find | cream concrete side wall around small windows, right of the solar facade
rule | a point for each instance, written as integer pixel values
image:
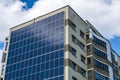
(80, 25)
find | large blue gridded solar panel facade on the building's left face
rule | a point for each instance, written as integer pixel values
(36, 52)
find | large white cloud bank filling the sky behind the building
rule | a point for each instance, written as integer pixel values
(103, 14)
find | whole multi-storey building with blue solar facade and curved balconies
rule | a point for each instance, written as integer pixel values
(59, 45)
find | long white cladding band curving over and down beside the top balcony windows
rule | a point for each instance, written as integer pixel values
(107, 44)
